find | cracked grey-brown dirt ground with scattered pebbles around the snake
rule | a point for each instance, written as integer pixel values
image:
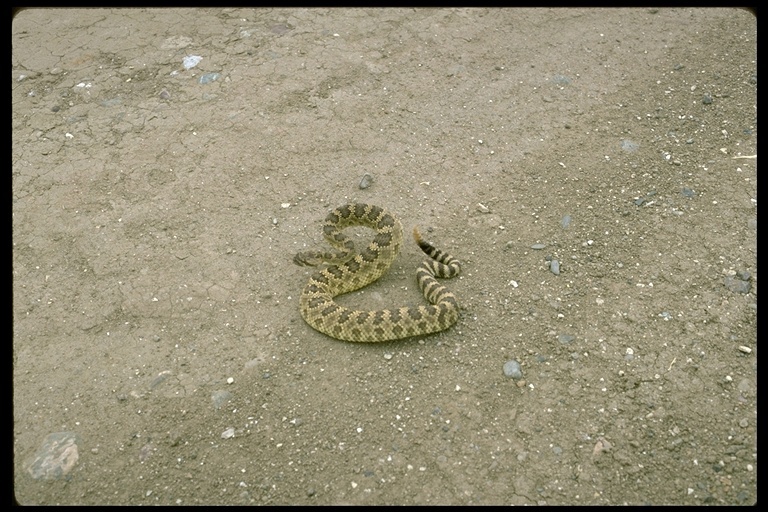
(157, 208)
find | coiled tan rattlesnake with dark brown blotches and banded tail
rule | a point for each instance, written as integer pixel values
(349, 270)
